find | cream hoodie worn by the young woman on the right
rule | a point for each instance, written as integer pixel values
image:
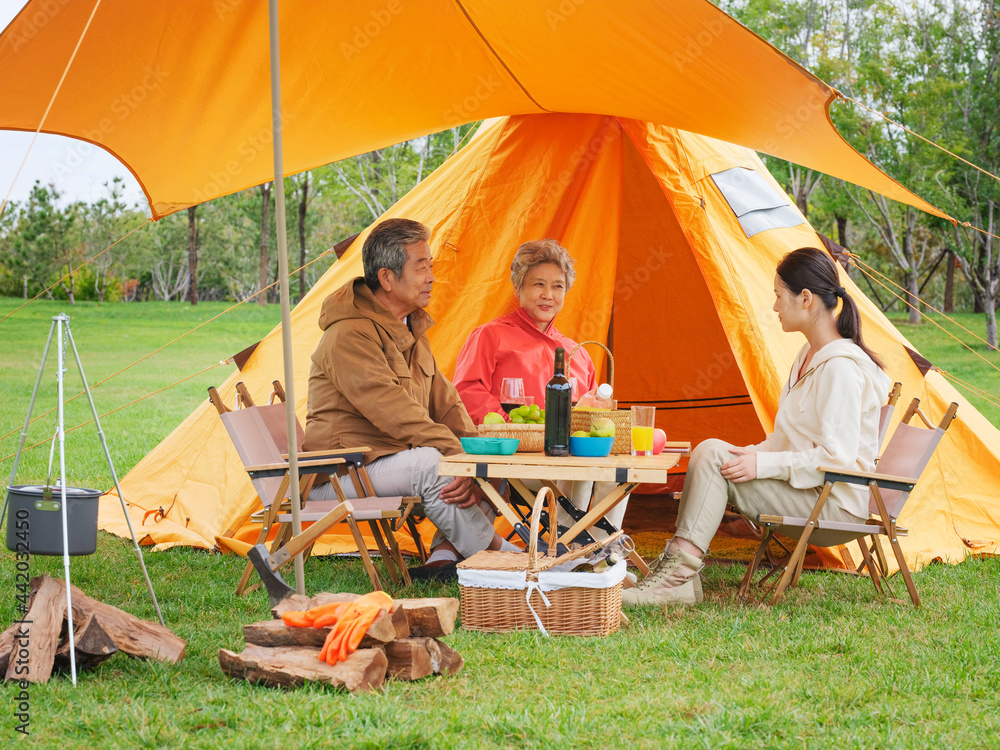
(828, 417)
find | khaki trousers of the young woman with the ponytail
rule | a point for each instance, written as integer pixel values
(707, 493)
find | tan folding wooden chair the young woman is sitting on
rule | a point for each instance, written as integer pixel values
(909, 450)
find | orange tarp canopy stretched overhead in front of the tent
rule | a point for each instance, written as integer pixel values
(179, 91)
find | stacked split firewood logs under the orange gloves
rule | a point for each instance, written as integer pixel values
(401, 643)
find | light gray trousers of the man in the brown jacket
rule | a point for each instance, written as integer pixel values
(415, 472)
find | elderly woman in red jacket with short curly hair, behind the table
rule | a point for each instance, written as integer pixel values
(522, 344)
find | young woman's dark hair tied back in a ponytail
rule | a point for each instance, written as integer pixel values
(812, 269)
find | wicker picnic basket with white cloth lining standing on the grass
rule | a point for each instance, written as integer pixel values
(504, 591)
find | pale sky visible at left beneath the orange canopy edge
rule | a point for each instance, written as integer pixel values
(78, 170)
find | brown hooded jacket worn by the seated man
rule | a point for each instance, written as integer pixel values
(374, 381)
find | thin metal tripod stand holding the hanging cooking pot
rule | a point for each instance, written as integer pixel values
(60, 328)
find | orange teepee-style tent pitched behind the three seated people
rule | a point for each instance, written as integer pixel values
(676, 238)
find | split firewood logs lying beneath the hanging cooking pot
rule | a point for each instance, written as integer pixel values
(37, 644)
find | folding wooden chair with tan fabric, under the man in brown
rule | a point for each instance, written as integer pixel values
(260, 437)
